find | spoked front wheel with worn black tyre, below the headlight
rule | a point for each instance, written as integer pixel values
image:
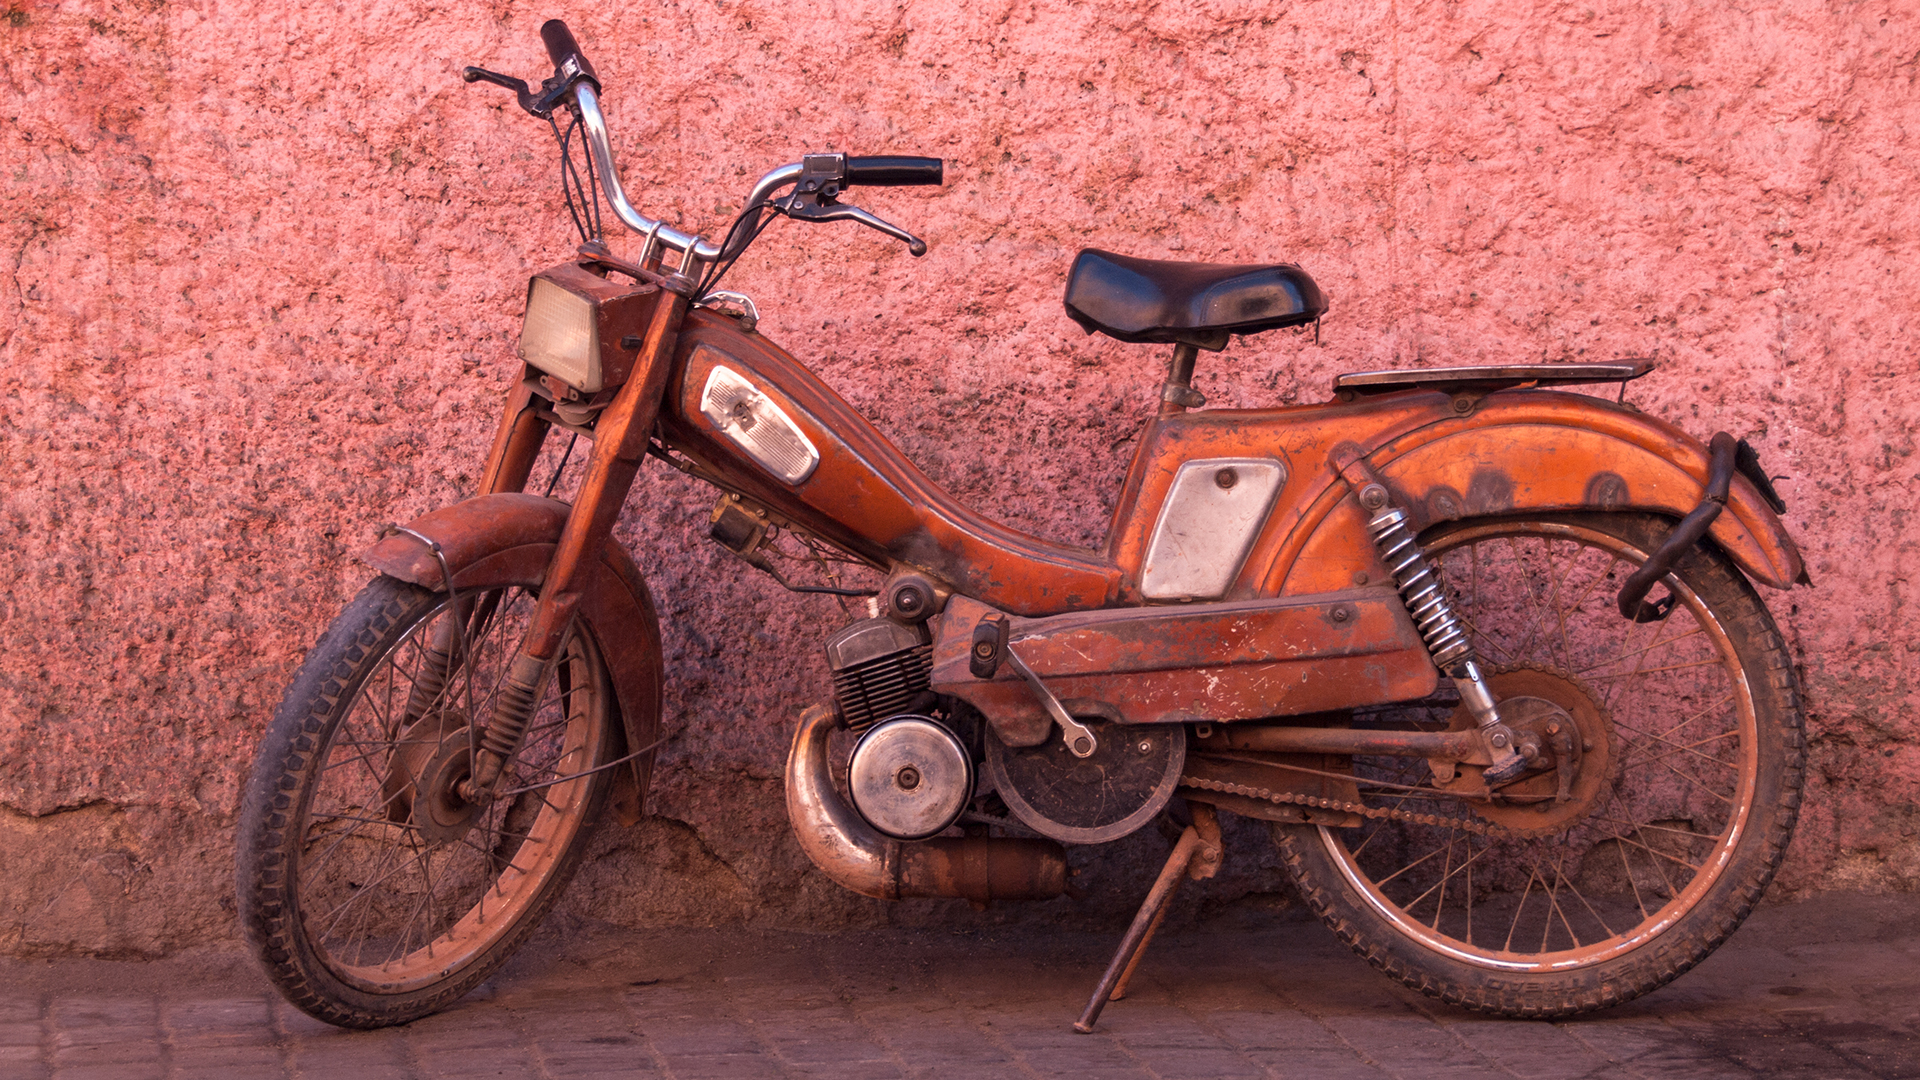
(370, 889)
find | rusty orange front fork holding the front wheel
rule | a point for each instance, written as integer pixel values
(621, 437)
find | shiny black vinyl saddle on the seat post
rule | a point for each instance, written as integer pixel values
(1199, 305)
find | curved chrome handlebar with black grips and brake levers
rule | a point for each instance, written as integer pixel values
(575, 78)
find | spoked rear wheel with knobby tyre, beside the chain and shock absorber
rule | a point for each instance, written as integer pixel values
(1548, 900)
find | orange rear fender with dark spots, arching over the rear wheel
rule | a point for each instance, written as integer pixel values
(1535, 451)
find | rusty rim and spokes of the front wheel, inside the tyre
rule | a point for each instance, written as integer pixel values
(396, 883)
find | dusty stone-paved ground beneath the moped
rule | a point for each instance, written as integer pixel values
(1823, 991)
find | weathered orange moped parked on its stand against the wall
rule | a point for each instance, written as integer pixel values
(1483, 652)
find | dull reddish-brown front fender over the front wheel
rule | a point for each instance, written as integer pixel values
(510, 539)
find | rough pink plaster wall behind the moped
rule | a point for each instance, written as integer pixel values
(262, 266)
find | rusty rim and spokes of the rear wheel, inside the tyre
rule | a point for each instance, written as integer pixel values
(1654, 843)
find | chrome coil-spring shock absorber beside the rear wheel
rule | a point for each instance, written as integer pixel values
(1433, 616)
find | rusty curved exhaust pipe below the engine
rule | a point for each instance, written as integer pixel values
(859, 858)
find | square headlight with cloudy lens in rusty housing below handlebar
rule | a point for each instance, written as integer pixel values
(577, 326)
